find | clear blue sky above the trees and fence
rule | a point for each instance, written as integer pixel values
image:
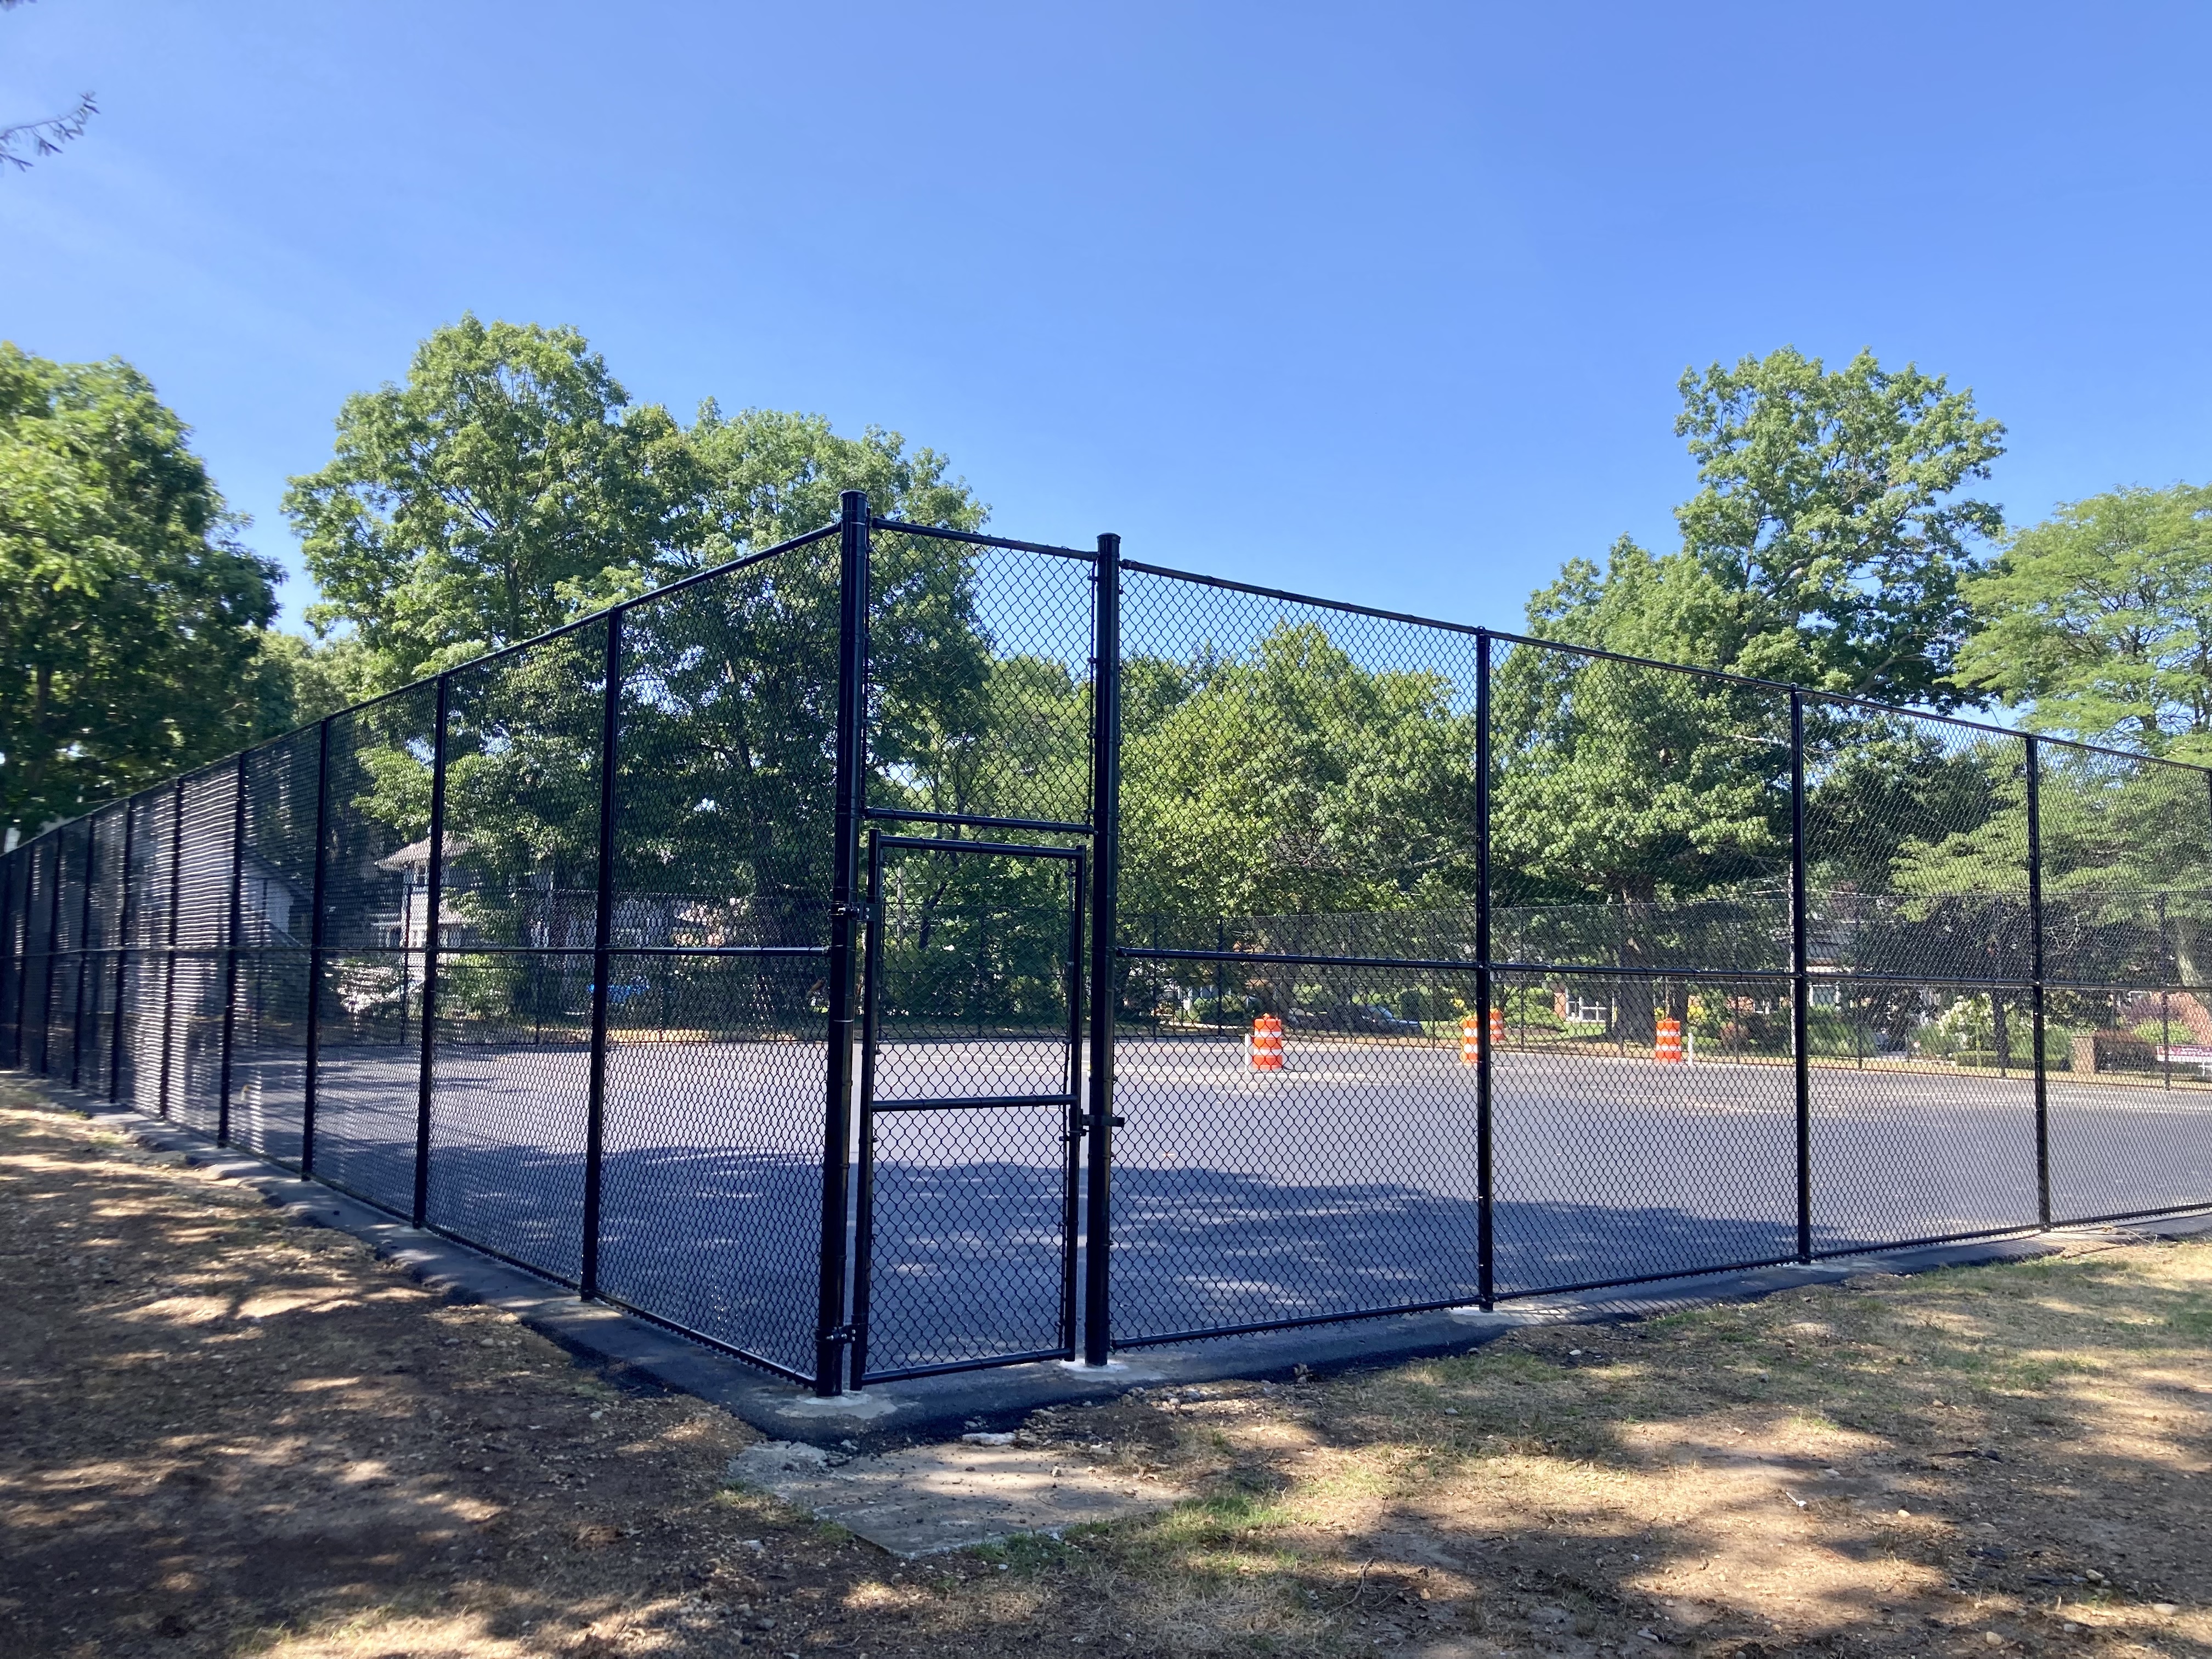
(1381, 302)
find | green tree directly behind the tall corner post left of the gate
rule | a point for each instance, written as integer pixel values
(733, 727)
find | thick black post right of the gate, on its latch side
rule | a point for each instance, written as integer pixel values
(1105, 930)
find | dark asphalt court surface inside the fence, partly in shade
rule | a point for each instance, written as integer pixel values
(1342, 1185)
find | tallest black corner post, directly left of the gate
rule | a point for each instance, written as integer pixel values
(831, 1331)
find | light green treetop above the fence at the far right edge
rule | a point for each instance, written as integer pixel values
(2098, 623)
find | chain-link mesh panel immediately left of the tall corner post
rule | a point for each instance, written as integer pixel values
(718, 1061)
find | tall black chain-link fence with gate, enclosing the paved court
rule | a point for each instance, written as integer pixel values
(813, 959)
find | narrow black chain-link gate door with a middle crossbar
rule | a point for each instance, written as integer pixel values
(970, 1107)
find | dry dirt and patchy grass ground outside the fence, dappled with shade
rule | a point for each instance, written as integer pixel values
(229, 1434)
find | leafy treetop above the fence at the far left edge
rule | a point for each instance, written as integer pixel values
(132, 618)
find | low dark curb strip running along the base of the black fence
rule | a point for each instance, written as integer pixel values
(636, 1353)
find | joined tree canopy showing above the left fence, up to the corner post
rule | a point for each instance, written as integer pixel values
(512, 486)
